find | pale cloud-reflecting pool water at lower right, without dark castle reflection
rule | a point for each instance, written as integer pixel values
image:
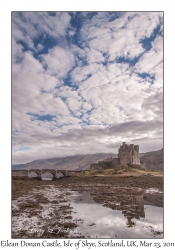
(97, 221)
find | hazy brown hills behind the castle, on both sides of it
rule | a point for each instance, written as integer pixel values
(152, 160)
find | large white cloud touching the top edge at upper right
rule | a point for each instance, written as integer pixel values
(120, 38)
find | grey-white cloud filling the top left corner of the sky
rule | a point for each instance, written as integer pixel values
(35, 23)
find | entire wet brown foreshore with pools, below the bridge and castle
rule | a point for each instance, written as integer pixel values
(90, 207)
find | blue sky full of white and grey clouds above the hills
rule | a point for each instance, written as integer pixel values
(84, 82)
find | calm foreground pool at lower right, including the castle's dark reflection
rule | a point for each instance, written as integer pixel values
(131, 218)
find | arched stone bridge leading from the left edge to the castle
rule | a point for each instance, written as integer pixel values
(39, 172)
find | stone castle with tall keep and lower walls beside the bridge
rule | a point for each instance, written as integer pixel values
(128, 156)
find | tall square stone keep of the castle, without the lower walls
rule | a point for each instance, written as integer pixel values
(129, 154)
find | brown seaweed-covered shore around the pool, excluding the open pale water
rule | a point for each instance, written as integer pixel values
(30, 199)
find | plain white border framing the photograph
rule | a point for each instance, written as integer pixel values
(5, 93)
